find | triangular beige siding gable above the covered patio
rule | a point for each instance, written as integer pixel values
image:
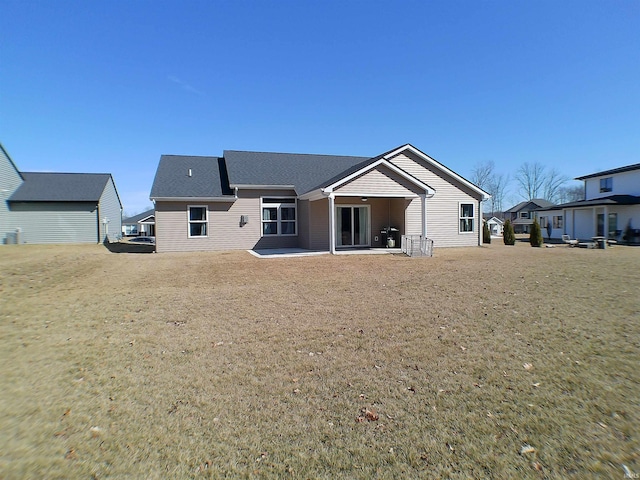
(380, 182)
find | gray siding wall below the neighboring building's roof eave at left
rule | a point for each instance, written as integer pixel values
(56, 222)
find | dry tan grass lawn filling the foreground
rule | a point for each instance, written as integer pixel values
(220, 364)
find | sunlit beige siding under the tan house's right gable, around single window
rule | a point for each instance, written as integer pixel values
(443, 219)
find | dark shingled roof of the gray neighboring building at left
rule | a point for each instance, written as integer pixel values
(61, 187)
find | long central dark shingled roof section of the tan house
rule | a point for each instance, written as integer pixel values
(304, 171)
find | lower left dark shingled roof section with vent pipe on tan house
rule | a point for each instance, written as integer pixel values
(207, 180)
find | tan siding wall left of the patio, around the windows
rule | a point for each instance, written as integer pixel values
(224, 230)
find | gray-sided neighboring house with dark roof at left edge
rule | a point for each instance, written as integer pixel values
(47, 207)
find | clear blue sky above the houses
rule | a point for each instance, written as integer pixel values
(110, 86)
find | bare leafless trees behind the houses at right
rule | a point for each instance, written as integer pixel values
(531, 180)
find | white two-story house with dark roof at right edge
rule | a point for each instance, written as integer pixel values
(611, 206)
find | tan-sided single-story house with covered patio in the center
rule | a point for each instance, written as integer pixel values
(256, 200)
